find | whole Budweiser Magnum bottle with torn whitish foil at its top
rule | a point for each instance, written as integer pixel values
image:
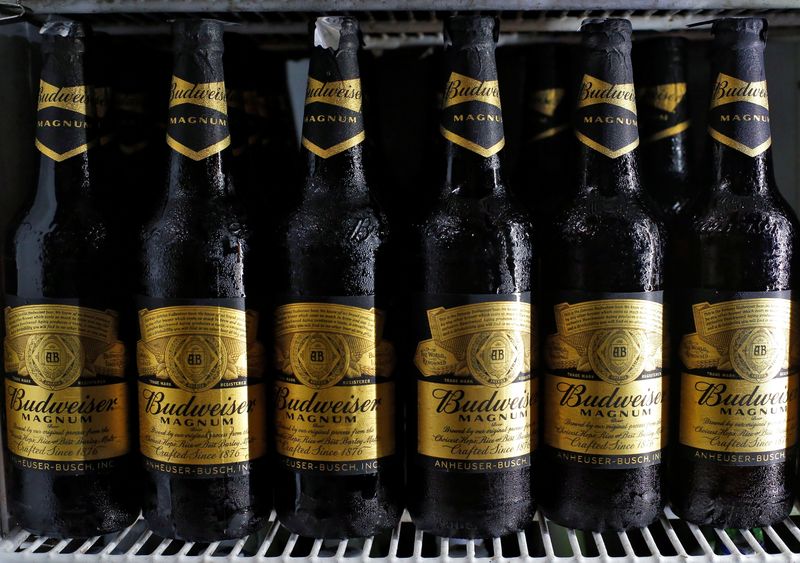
(339, 472)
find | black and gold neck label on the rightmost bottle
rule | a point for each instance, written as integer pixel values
(739, 113)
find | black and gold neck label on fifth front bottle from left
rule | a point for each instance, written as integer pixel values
(606, 117)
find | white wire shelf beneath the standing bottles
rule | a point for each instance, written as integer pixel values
(669, 540)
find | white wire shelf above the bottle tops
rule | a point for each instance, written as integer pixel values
(411, 21)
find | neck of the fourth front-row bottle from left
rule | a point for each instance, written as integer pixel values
(472, 121)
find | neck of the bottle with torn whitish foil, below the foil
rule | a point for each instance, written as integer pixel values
(333, 125)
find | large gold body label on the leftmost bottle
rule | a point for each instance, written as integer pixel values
(66, 398)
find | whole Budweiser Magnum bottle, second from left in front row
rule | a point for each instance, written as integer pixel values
(202, 411)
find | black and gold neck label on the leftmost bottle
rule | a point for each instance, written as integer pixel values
(65, 118)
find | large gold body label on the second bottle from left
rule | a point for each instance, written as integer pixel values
(202, 399)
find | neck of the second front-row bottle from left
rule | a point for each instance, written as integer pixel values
(197, 129)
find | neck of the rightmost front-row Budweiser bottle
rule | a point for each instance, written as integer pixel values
(739, 123)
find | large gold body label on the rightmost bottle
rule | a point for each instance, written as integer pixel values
(739, 380)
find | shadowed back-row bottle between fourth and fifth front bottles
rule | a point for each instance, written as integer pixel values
(542, 172)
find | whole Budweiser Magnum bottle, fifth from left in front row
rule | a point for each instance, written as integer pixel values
(604, 391)
